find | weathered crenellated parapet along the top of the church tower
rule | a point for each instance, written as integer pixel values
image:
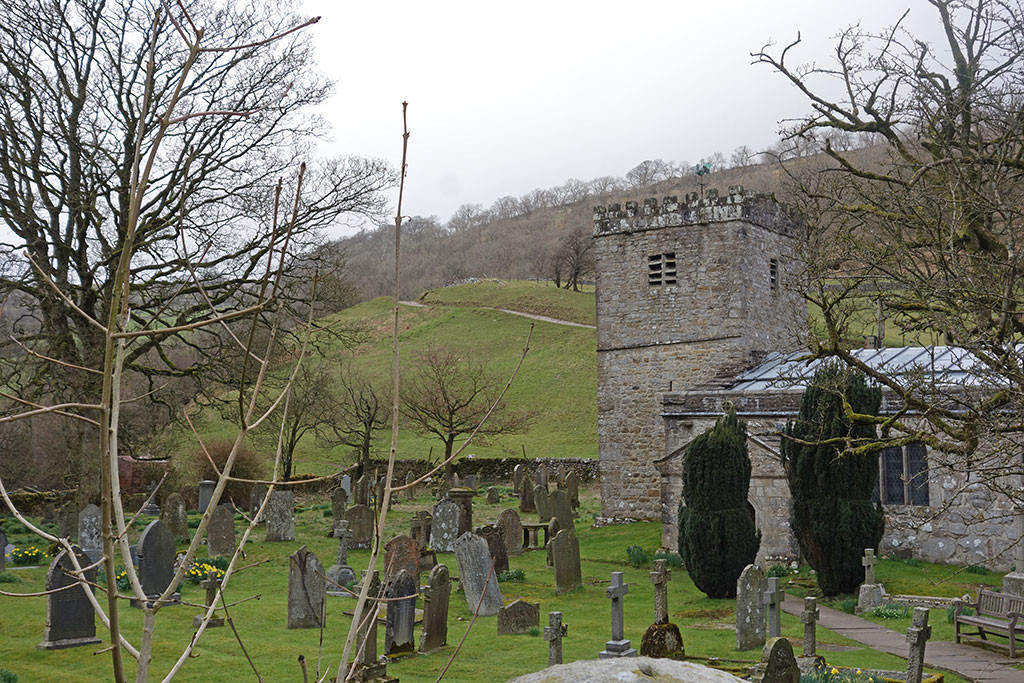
(758, 209)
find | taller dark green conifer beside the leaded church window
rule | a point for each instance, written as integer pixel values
(832, 486)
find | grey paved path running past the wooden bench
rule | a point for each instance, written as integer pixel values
(972, 663)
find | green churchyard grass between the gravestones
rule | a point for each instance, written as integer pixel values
(706, 624)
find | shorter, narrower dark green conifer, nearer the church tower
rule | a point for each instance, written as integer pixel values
(717, 536)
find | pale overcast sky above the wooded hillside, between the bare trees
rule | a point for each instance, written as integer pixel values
(507, 98)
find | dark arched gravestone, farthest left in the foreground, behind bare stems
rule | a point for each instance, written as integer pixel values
(70, 619)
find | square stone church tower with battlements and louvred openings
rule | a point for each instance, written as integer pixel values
(689, 294)
